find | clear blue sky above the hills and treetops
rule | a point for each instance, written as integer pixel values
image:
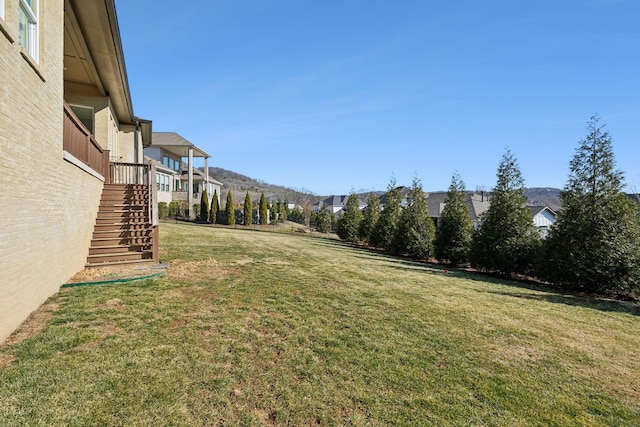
(334, 96)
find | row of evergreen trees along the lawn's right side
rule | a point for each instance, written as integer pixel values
(594, 245)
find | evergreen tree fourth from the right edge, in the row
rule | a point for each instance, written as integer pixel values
(416, 229)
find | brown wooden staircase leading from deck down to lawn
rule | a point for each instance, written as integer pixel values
(123, 233)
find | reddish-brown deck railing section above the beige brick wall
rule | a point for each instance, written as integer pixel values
(78, 141)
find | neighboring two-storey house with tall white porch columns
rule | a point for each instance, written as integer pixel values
(186, 183)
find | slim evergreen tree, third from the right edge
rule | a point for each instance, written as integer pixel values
(453, 236)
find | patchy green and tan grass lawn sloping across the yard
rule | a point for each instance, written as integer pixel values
(260, 328)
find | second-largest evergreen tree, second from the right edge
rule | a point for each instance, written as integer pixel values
(506, 241)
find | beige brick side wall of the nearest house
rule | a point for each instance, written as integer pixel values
(47, 205)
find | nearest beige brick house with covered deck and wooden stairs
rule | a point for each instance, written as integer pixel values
(65, 116)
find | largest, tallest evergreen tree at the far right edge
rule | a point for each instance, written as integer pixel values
(595, 242)
